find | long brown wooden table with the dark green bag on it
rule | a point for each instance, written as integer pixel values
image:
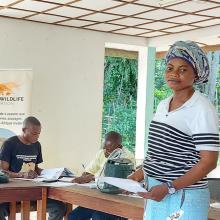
(124, 206)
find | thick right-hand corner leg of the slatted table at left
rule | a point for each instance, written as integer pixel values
(41, 205)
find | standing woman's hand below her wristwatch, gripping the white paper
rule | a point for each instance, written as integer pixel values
(156, 193)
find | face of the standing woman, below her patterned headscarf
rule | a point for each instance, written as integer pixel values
(179, 75)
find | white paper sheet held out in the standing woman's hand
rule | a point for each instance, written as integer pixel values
(126, 184)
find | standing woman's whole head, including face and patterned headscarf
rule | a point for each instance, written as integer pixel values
(186, 64)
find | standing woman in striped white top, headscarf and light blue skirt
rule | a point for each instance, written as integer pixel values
(183, 141)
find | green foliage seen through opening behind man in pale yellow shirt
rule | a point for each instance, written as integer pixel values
(120, 95)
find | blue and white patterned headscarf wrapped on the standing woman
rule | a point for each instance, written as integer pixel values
(194, 55)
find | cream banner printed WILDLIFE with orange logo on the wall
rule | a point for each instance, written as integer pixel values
(15, 101)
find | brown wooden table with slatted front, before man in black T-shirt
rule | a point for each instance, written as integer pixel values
(24, 192)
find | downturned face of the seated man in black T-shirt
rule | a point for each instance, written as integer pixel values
(32, 133)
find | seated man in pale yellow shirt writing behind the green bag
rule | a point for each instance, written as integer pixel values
(113, 141)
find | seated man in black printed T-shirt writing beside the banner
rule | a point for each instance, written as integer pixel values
(20, 156)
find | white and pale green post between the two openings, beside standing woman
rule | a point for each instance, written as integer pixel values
(145, 98)
